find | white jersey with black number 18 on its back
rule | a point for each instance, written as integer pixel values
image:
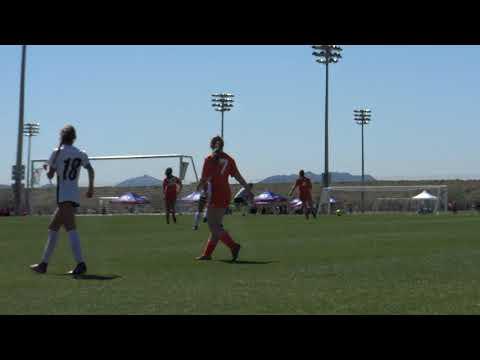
(67, 165)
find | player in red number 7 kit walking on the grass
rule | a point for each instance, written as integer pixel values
(217, 168)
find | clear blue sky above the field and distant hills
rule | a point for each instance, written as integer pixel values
(156, 99)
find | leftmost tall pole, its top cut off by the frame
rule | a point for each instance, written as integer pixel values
(18, 173)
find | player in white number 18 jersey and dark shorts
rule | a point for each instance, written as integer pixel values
(66, 161)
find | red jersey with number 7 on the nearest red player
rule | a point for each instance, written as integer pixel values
(217, 170)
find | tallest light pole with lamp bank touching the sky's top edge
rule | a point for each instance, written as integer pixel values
(327, 54)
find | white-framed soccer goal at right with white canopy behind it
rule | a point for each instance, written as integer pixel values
(414, 198)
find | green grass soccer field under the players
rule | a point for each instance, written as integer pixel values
(333, 265)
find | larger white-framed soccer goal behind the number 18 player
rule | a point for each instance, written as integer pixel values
(117, 175)
